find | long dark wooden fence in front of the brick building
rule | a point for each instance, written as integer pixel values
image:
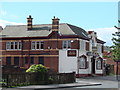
(22, 79)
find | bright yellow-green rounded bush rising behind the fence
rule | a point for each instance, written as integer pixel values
(37, 68)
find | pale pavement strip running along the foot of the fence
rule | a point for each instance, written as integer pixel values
(56, 86)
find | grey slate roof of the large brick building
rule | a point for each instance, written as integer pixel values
(42, 30)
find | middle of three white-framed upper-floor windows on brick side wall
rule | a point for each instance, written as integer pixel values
(37, 45)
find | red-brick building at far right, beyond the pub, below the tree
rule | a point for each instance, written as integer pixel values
(111, 64)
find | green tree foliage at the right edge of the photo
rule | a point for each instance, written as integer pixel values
(116, 46)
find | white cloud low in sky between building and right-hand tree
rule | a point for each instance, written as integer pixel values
(105, 34)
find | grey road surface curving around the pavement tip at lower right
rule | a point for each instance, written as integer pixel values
(108, 83)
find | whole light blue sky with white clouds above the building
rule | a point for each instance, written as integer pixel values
(96, 16)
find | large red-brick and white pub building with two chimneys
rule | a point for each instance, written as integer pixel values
(61, 47)
